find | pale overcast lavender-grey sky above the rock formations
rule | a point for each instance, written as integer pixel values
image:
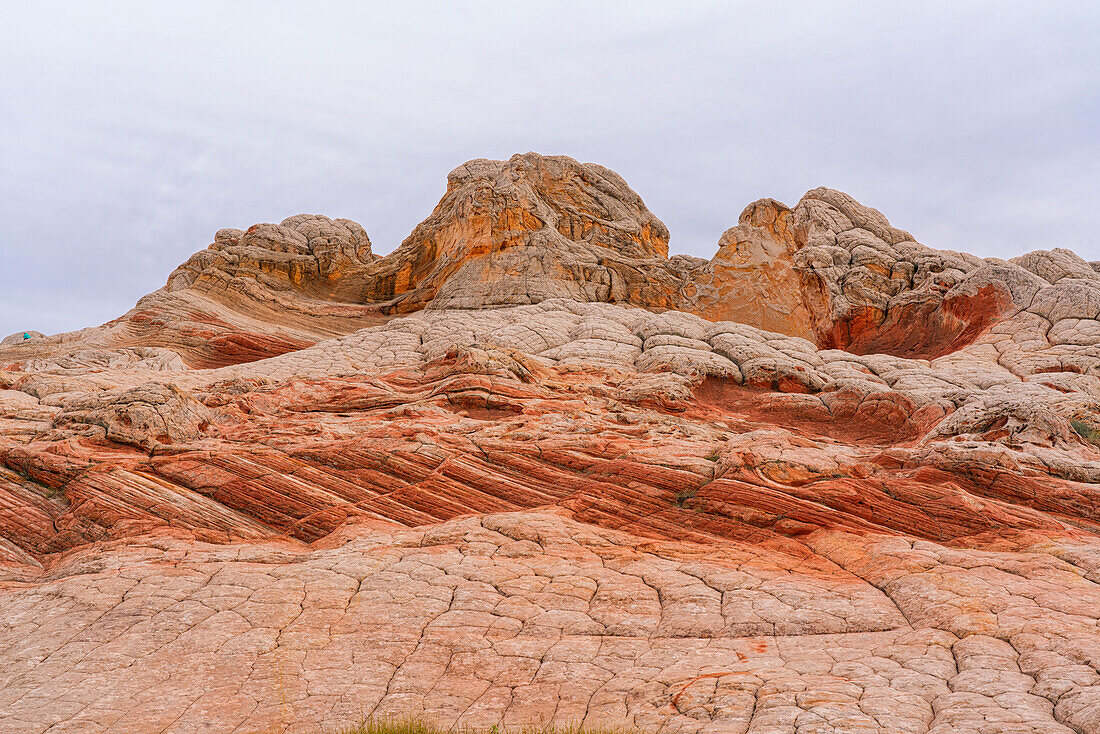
(131, 133)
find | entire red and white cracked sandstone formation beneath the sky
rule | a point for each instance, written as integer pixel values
(529, 468)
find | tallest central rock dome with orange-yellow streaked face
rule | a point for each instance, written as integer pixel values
(526, 231)
